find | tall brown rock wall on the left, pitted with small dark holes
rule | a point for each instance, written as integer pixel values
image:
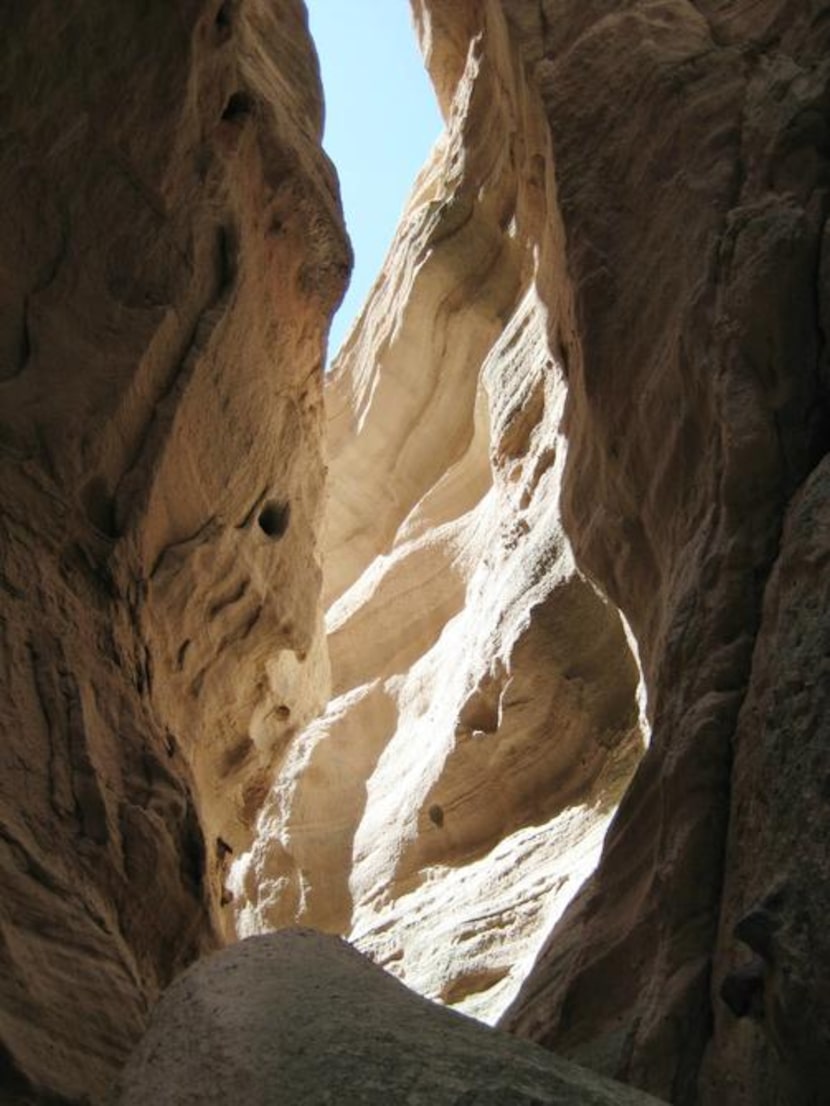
(171, 251)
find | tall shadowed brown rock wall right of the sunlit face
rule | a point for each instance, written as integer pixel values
(692, 168)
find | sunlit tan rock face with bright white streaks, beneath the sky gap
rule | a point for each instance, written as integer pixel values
(485, 714)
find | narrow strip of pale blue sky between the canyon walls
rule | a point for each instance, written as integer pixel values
(381, 122)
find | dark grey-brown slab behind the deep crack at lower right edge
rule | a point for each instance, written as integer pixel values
(776, 892)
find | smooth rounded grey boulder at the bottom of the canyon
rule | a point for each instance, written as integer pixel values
(298, 1019)
